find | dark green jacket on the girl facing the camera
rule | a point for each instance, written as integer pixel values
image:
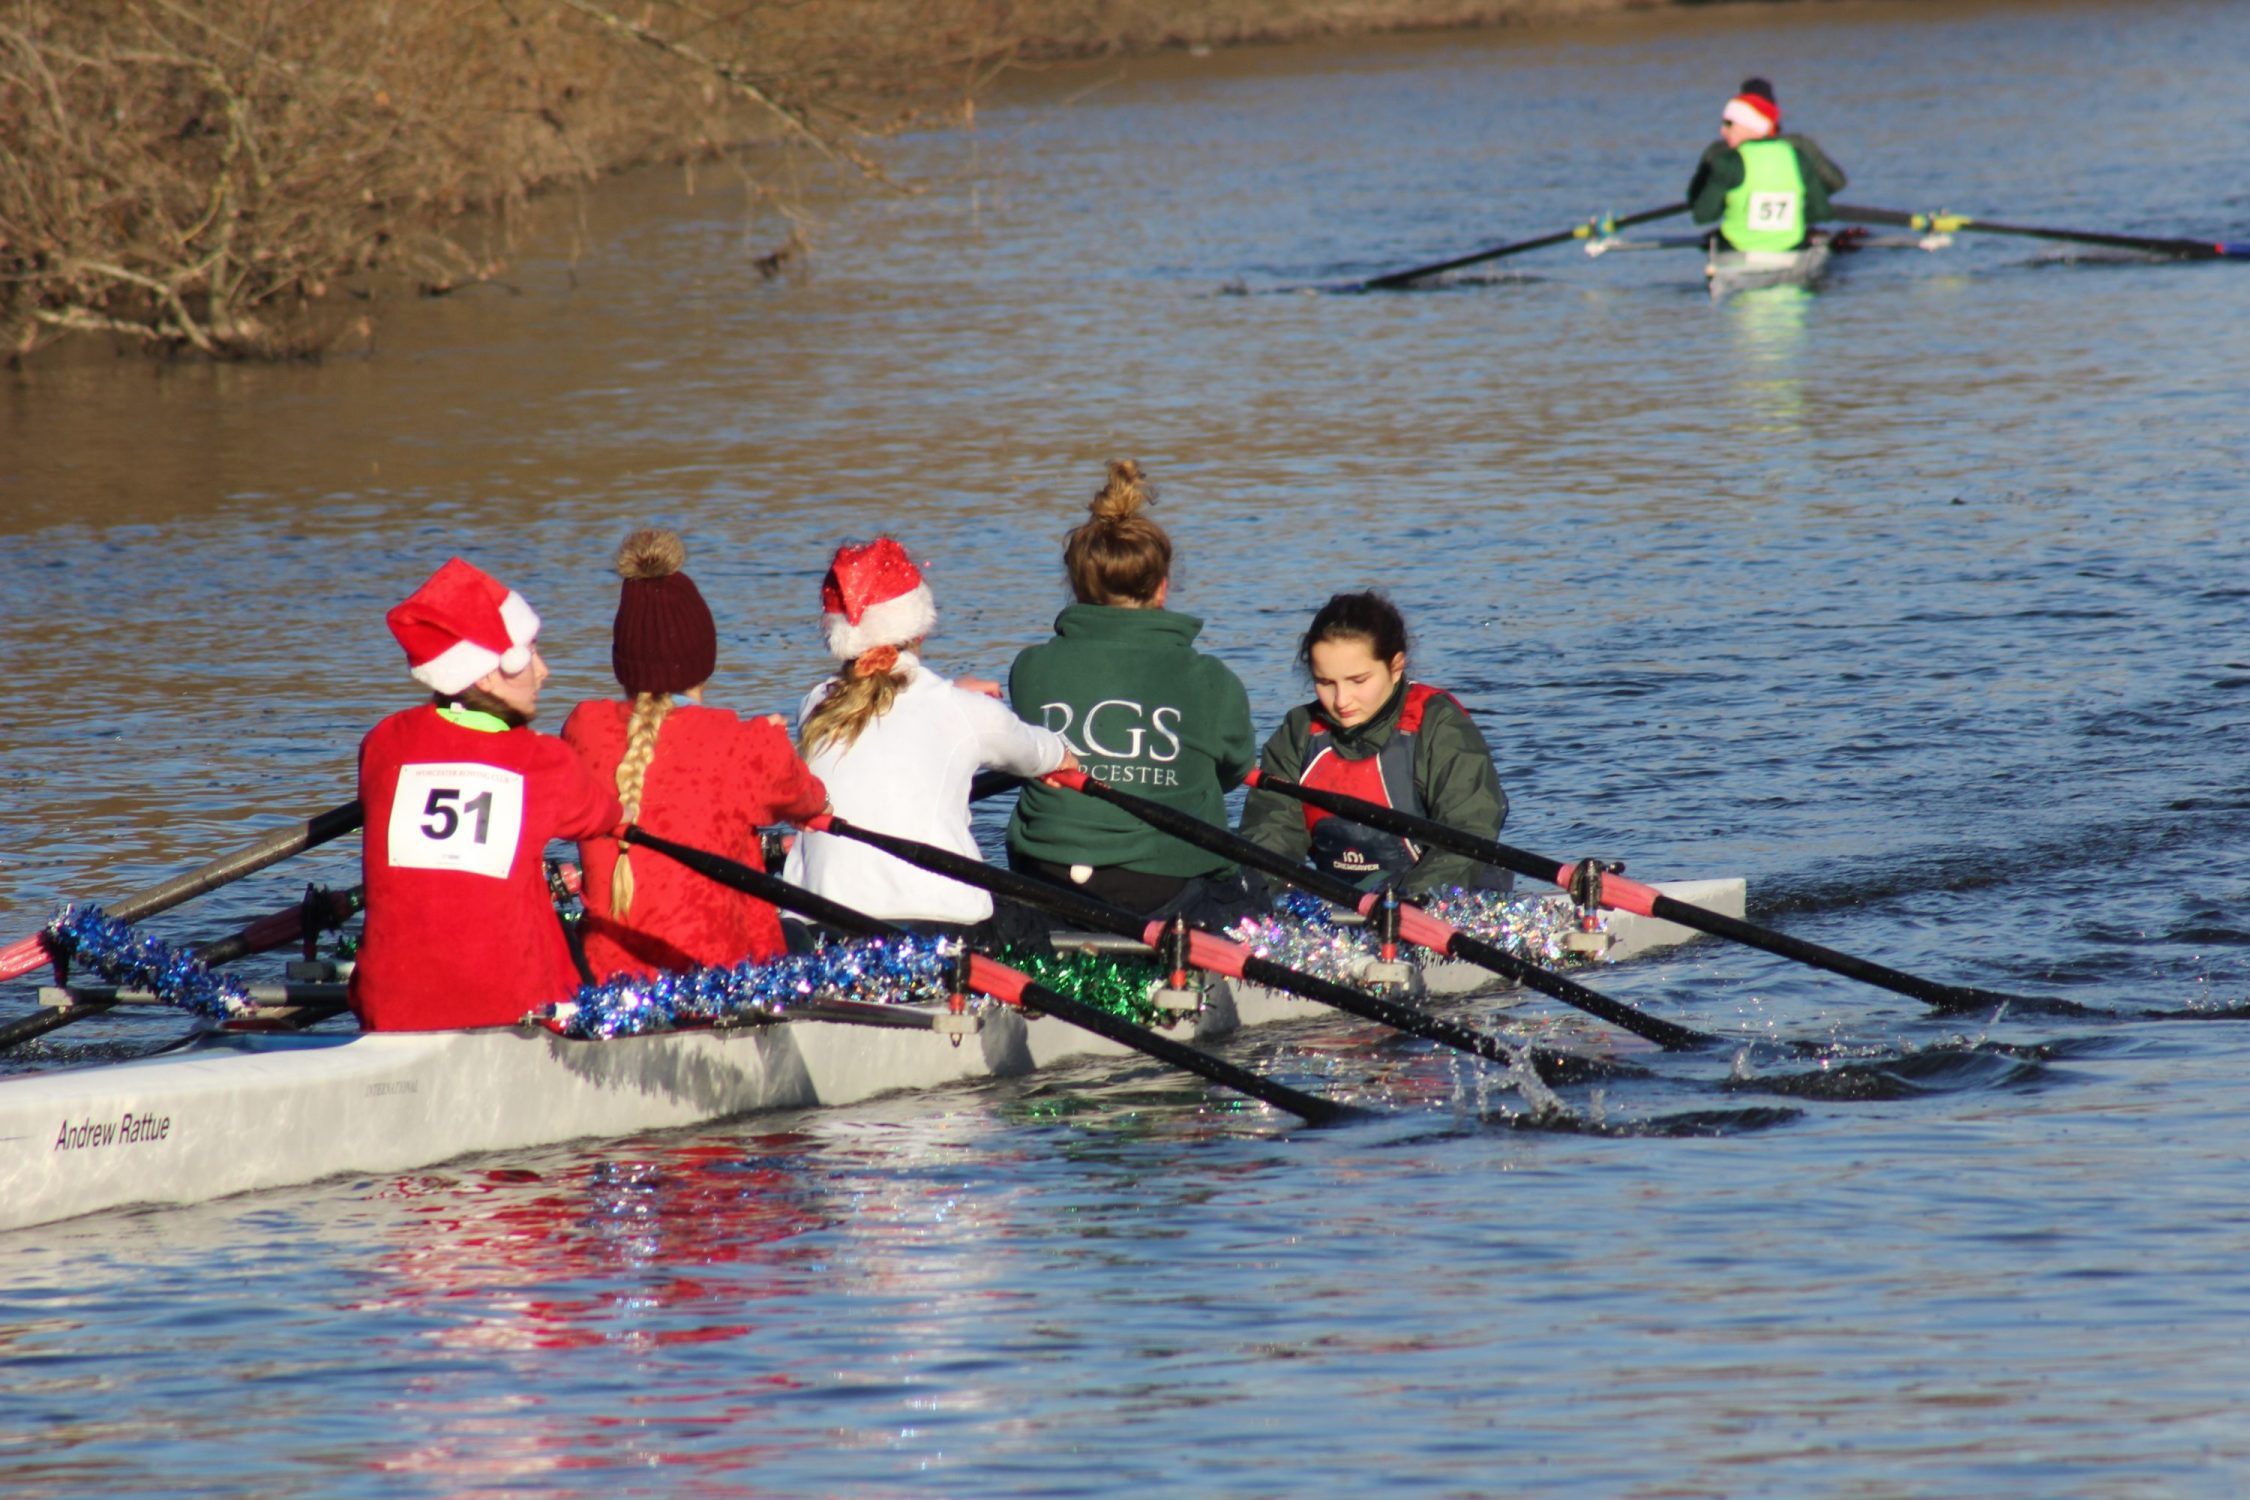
(1452, 775)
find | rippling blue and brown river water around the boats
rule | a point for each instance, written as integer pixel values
(1916, 599)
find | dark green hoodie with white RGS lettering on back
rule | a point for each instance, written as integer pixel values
(1146, 714)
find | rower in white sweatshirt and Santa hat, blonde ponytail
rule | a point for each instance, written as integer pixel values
(899, 746)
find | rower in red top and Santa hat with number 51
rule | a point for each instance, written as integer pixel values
(462, 797)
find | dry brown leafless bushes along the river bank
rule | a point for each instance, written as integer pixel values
(213, 174)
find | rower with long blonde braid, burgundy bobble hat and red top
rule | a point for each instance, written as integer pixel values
(683, 770)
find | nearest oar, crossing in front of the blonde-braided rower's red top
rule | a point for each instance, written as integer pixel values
(1000, 982)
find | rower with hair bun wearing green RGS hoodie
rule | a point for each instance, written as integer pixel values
(1144, 712)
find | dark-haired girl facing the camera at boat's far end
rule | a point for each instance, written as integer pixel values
(1383, 739)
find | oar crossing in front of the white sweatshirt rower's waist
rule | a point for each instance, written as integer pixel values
(1205, 950)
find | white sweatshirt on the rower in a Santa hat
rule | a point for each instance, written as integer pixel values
(908, 775)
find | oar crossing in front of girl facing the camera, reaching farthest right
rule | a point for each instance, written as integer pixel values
(1639, 898)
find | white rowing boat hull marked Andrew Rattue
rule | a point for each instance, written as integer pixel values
(240, 1112)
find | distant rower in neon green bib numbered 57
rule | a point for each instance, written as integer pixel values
(1761, 188)
